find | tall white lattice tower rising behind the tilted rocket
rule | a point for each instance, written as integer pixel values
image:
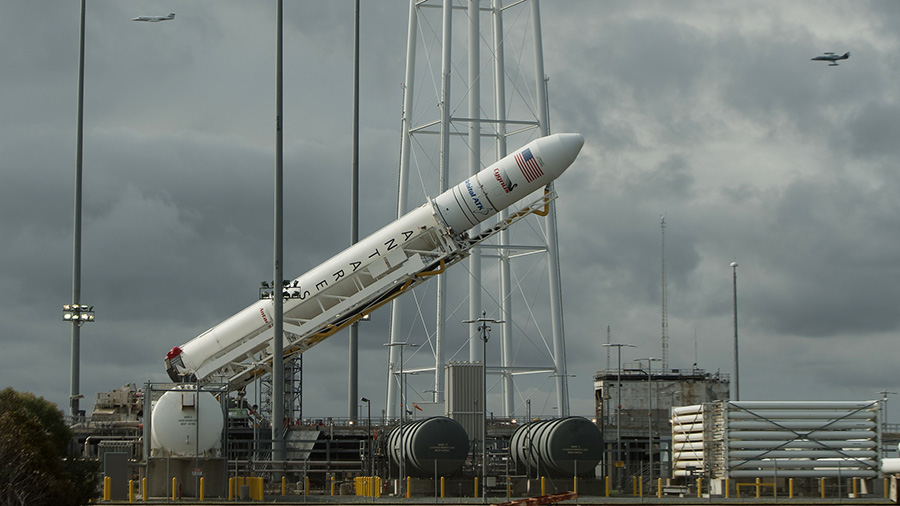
(443, 131)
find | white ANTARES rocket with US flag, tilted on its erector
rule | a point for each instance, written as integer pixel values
(376, 269)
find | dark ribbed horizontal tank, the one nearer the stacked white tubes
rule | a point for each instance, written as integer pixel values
(561, 447)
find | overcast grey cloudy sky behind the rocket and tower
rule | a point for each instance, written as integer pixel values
(710, 113)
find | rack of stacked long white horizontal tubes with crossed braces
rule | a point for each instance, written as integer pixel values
(764, 439)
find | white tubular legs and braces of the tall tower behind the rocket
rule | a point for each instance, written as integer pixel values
(428, 142)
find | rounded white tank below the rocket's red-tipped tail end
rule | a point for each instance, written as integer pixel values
(173, 424)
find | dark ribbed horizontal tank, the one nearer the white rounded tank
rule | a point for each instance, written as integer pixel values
(433, 445)
